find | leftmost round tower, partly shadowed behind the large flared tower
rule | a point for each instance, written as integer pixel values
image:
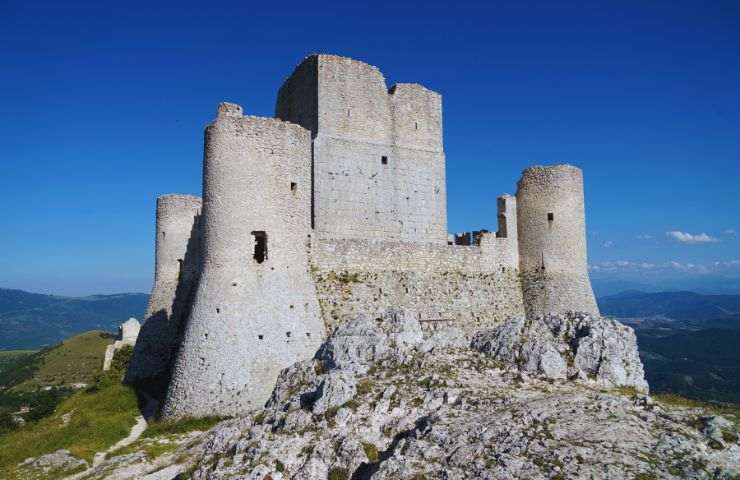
(175, 275)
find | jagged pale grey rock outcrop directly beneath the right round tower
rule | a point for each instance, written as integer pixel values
(568, 346)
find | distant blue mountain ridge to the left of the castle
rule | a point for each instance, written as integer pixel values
(34, 320)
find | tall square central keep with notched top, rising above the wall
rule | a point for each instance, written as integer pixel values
(378, 158)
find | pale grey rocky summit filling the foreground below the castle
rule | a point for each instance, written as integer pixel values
(557, 397)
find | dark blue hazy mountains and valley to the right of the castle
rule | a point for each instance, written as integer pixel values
(689, 342)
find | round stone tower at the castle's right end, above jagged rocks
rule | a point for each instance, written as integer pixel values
(552, 241)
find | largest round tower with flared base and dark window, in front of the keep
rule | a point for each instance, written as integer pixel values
(255, 310)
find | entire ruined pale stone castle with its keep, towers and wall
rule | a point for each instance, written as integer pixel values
(336, 208)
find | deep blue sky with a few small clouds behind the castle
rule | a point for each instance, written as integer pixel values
(103, 104)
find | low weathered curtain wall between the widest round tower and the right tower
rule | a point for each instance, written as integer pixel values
(471, 286)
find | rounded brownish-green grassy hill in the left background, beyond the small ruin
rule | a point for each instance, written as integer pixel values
(76, 360)
